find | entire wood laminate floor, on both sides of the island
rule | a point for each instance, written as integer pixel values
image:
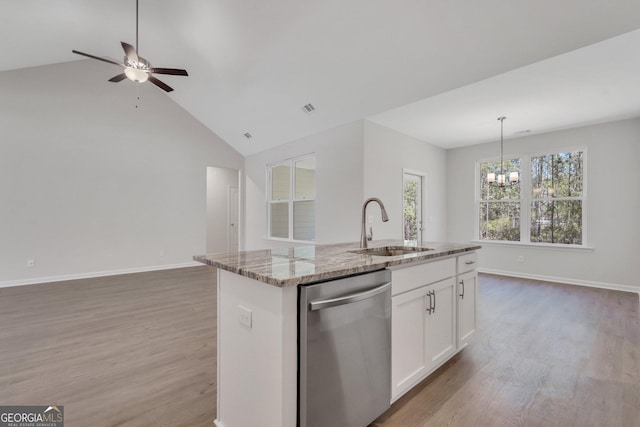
(139, 350)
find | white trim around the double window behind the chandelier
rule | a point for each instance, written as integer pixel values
(526, 199)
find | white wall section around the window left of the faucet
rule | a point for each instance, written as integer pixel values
(339, 187)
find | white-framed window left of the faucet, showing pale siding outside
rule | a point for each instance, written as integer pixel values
(291, 199)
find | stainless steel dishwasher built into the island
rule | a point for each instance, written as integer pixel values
(344, 351)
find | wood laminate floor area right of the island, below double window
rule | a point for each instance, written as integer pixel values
(544, 355)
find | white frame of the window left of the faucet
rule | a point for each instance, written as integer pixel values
(291, 162)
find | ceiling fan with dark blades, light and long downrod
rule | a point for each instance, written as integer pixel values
(137, 68)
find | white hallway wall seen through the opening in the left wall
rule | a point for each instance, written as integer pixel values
(218, 182)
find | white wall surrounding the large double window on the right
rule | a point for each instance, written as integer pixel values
(613, 207)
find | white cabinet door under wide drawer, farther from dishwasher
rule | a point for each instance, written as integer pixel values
(441, 322)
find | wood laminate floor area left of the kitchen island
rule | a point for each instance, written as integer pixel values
(130, 350)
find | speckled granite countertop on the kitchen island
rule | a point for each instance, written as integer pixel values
(305, 264)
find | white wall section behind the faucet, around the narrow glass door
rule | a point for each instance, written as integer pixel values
(386, 154)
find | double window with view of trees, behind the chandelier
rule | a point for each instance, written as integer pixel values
(545, 206)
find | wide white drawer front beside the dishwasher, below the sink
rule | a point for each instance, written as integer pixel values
(408, 278)
